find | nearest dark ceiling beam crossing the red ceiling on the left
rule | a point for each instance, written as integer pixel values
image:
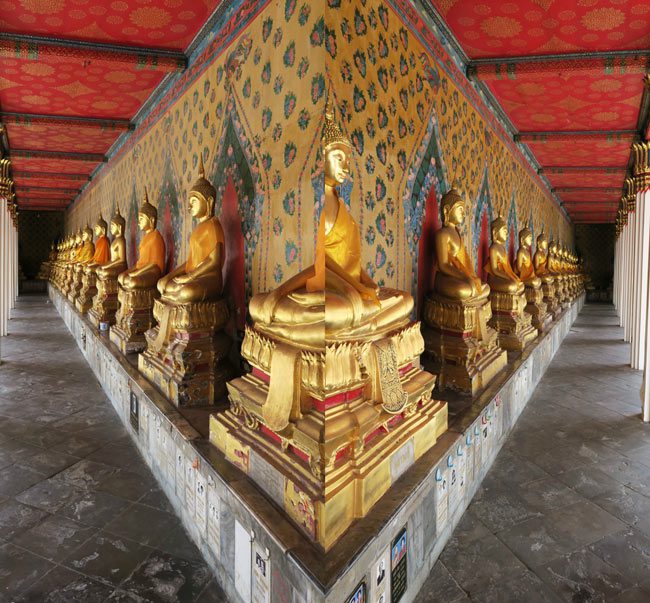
(26, 47)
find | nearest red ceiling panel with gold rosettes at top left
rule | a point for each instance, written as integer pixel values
(159, 23)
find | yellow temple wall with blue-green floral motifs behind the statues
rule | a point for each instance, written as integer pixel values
(254, 107)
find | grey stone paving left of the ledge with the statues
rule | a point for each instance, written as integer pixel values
(81, 517)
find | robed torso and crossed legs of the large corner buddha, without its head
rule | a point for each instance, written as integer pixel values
(330, 307)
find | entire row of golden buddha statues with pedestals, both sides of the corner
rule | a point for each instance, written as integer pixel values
(337, 396)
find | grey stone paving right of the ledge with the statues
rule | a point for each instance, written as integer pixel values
(564, 513)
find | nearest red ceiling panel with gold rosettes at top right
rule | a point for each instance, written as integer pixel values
(498, 28)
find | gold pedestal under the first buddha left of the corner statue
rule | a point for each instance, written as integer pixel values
(188, 361)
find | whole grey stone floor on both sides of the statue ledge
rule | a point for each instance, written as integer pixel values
(564, 515)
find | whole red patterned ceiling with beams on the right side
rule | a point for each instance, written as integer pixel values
(577, 112)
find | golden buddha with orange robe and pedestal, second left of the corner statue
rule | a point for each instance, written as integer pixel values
(137, 286)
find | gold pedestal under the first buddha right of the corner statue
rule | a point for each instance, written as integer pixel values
(464, 349)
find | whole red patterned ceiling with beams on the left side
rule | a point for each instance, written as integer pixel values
(55, 76)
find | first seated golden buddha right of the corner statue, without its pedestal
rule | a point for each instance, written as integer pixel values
(454, 274)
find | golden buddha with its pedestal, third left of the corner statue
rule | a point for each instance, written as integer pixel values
(105, 303)
